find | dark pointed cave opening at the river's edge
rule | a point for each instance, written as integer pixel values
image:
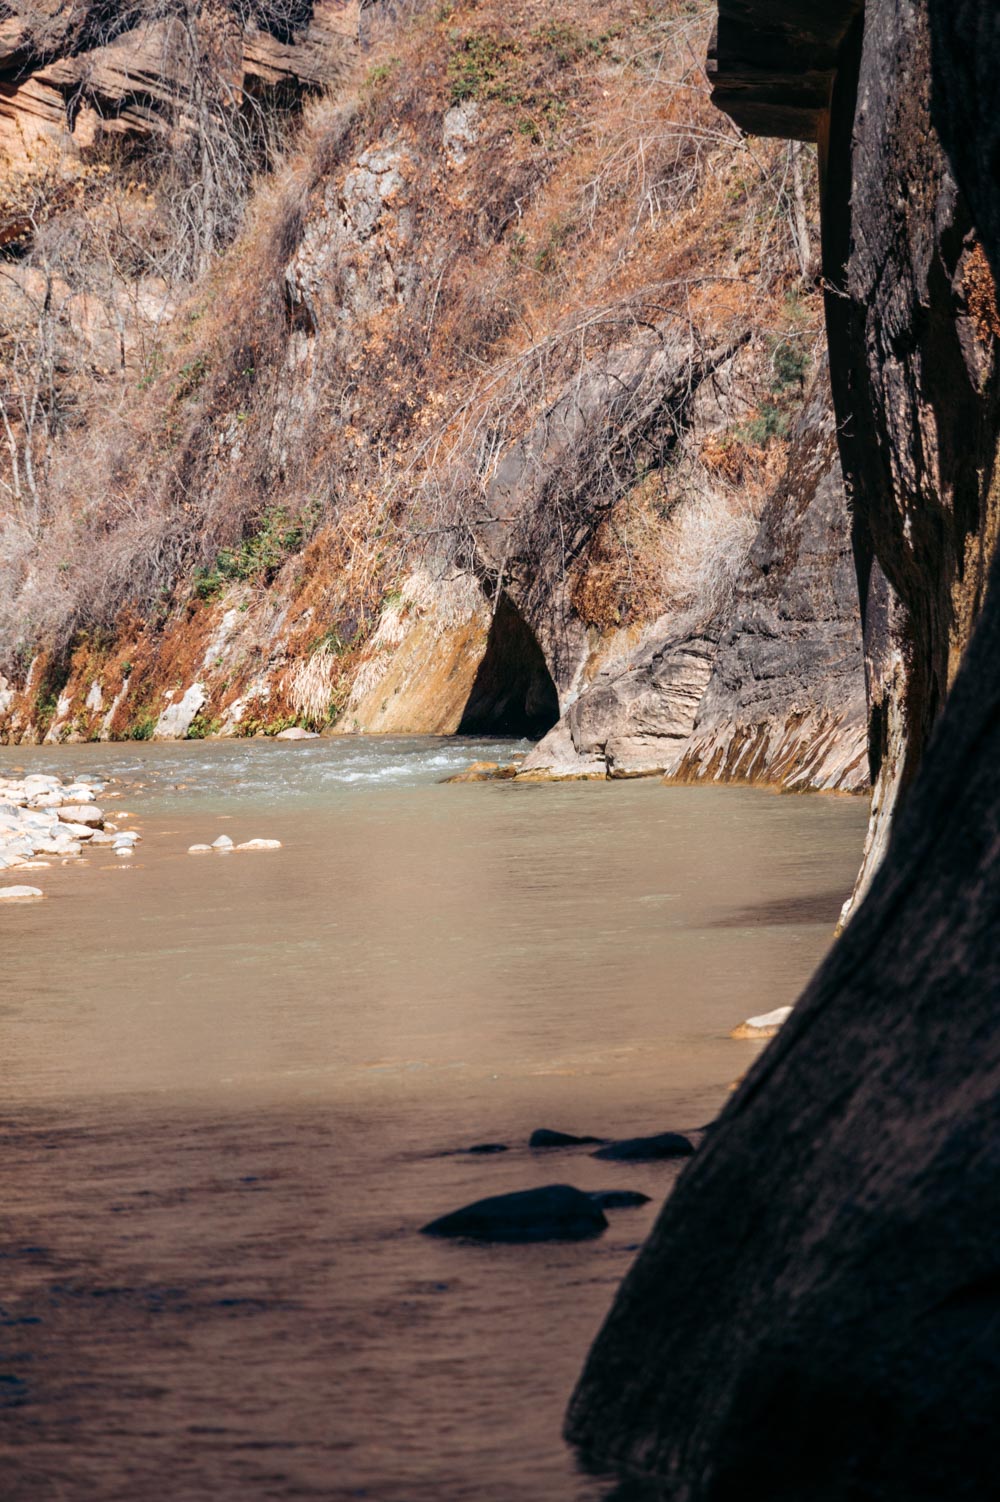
(514, 693)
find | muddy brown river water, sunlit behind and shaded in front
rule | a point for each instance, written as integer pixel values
(235, 1088)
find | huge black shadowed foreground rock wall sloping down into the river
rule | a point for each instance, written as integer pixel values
(816, 1312)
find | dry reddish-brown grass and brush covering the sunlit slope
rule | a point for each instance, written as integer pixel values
(604, 198)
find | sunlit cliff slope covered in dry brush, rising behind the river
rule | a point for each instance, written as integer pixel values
(474, 427)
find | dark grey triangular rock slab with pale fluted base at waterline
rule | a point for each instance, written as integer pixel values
(786, 702)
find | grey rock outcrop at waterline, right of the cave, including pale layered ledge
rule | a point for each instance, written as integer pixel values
(771, 689)
